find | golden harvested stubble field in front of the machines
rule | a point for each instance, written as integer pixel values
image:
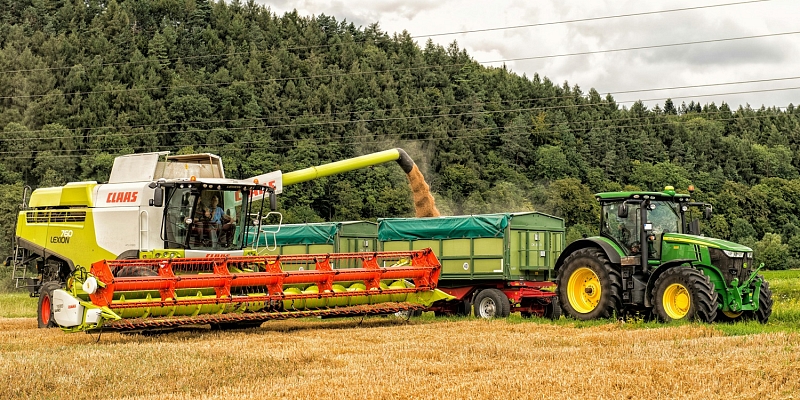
(387, 358)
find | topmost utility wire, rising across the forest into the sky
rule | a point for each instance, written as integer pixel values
(292, 48)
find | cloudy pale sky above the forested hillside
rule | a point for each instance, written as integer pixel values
(755, 71)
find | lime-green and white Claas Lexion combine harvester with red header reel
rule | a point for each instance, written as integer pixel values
(170, 241)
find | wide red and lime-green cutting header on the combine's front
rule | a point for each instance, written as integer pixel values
(158, 293)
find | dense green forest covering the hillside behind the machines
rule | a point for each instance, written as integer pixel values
(82, 81)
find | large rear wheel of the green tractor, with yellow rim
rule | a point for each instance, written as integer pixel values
(588, 286)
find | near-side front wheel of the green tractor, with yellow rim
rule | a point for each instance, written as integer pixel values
(684, 293)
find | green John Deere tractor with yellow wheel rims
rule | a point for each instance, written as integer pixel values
(649, 259)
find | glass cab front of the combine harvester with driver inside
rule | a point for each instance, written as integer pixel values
(206, 219)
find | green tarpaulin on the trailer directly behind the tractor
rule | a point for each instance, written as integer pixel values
(467, 226)
